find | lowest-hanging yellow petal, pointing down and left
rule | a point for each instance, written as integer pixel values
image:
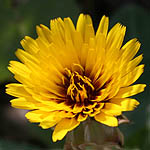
(64, 126)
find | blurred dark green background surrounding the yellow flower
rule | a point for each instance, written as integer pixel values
(19, 18)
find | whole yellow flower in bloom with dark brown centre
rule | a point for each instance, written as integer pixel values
(70, 73)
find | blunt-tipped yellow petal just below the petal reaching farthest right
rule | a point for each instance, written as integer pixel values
(127, 104)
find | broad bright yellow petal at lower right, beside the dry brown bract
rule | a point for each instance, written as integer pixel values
(106, 119)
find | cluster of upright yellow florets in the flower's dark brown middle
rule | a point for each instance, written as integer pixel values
(80, 87)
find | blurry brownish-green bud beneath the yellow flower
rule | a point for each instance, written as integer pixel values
(91, 135)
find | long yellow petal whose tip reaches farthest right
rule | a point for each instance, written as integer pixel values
(131, 90)
